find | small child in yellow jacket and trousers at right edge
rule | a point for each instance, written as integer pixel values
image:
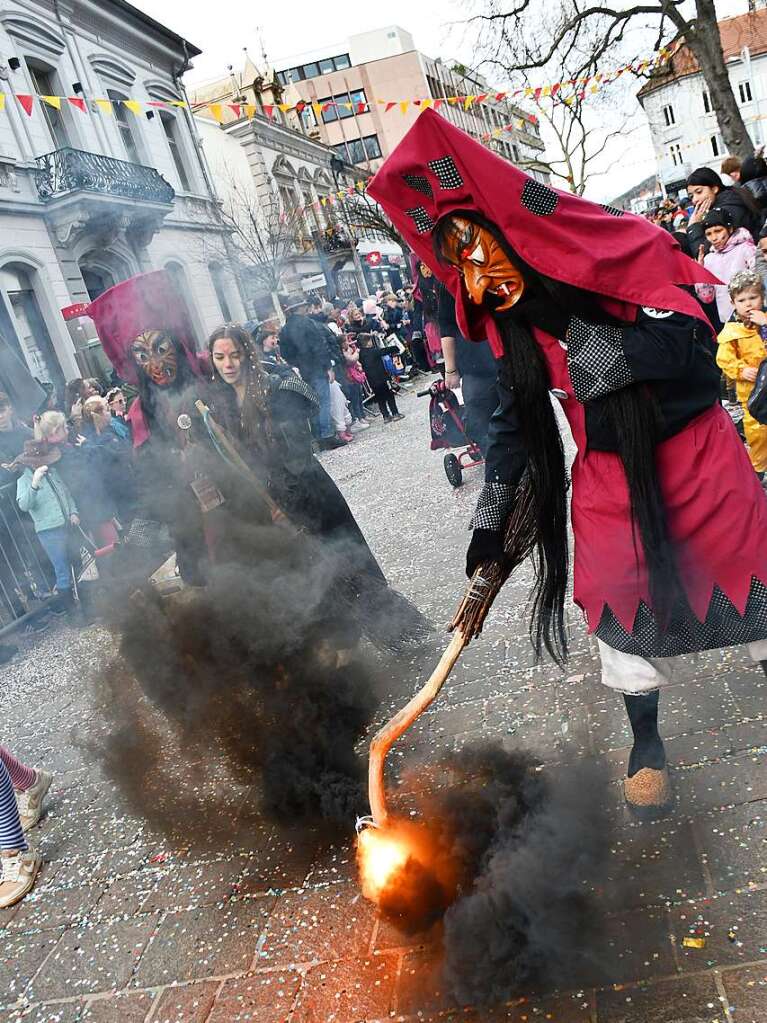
(742, 348)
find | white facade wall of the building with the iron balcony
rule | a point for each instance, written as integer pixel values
(106, 52)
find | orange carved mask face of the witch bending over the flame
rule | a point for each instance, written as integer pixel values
(484, 265)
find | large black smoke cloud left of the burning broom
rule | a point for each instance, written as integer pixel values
(240, 682)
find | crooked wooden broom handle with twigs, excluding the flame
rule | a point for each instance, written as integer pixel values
(483, 589)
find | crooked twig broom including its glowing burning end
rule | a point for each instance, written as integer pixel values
(388, 848)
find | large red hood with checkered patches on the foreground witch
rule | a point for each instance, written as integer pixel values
(438, 170)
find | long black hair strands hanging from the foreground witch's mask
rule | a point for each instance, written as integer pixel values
(634, 413)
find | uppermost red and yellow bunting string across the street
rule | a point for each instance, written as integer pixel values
(581, 87)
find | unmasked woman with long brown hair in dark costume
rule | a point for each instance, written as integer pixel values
(266, 411)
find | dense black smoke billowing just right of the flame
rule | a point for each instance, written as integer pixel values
(529, 848)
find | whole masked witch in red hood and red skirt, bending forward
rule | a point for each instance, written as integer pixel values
(588, 304)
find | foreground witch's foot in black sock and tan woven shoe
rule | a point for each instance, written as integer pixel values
(647, 787)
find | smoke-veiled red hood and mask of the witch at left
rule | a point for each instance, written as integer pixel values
(145, 330)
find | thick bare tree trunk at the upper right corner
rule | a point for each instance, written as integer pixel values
(704, 40)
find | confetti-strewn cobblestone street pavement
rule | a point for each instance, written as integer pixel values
(122, 928)
